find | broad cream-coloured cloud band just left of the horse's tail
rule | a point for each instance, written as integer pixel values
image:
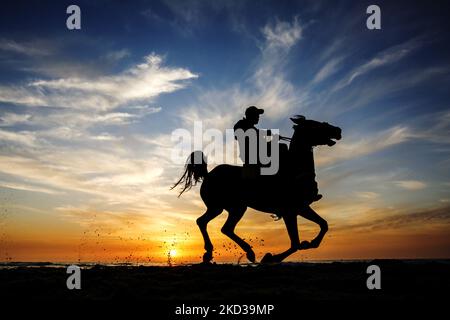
(109, 179)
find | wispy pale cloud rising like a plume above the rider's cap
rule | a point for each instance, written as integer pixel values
(268, 85)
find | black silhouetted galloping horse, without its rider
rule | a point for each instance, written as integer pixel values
(283, 194)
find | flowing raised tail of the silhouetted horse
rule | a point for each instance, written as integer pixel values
(195, 171)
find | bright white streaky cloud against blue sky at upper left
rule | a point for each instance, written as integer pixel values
(142, 82)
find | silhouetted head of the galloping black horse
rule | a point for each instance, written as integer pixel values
(313, 133)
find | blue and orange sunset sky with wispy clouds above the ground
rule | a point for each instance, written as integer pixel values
(87, 116)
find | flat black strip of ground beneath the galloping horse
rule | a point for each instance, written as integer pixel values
(418, 280)
